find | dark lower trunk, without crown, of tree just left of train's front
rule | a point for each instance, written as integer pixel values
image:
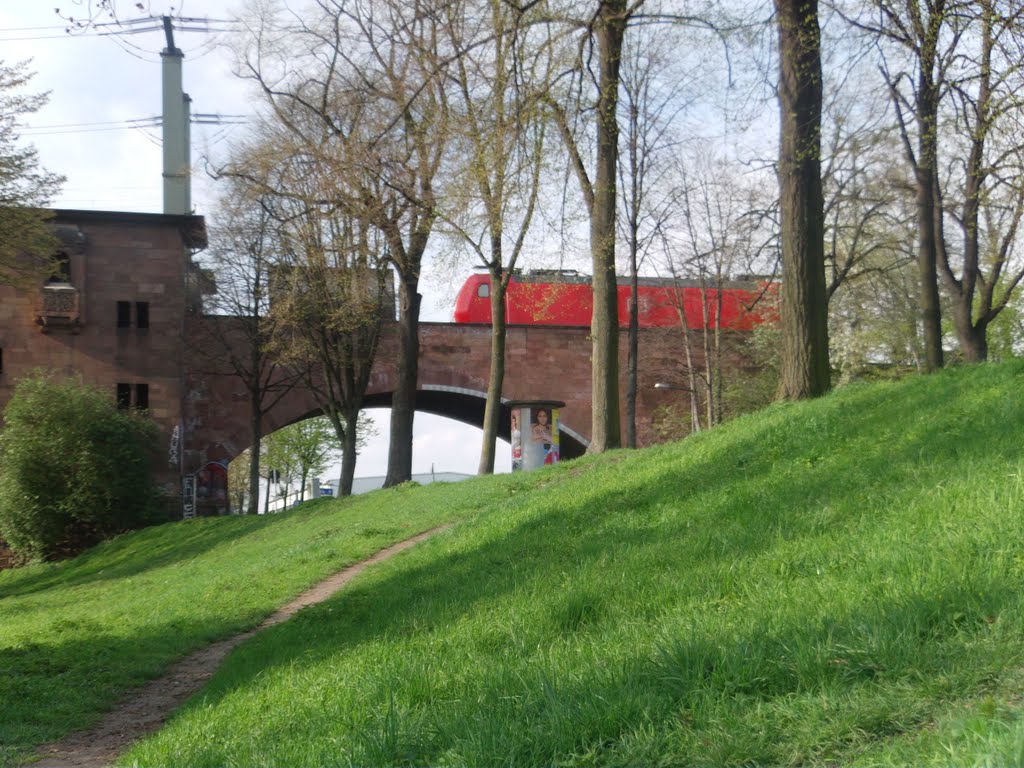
(400, 461)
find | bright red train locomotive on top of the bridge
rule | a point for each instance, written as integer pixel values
(565, 298)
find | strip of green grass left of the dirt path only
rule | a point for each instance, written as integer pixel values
(75, 635)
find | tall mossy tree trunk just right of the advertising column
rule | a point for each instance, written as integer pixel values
(606, 426)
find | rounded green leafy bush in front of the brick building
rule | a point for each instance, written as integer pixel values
(74, 470)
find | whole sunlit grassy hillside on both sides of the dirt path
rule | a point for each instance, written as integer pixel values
(838, 582)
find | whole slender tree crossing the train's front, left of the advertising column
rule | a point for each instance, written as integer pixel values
(499, 141)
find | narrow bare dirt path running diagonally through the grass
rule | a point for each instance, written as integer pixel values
(147, 709)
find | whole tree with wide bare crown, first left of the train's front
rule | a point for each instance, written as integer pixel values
(360, 88)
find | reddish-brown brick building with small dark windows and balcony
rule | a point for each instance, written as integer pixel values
(115, 315)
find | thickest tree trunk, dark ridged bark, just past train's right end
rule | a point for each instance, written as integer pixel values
(805, 371)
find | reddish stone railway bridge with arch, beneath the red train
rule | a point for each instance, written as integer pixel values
(542, 363)
